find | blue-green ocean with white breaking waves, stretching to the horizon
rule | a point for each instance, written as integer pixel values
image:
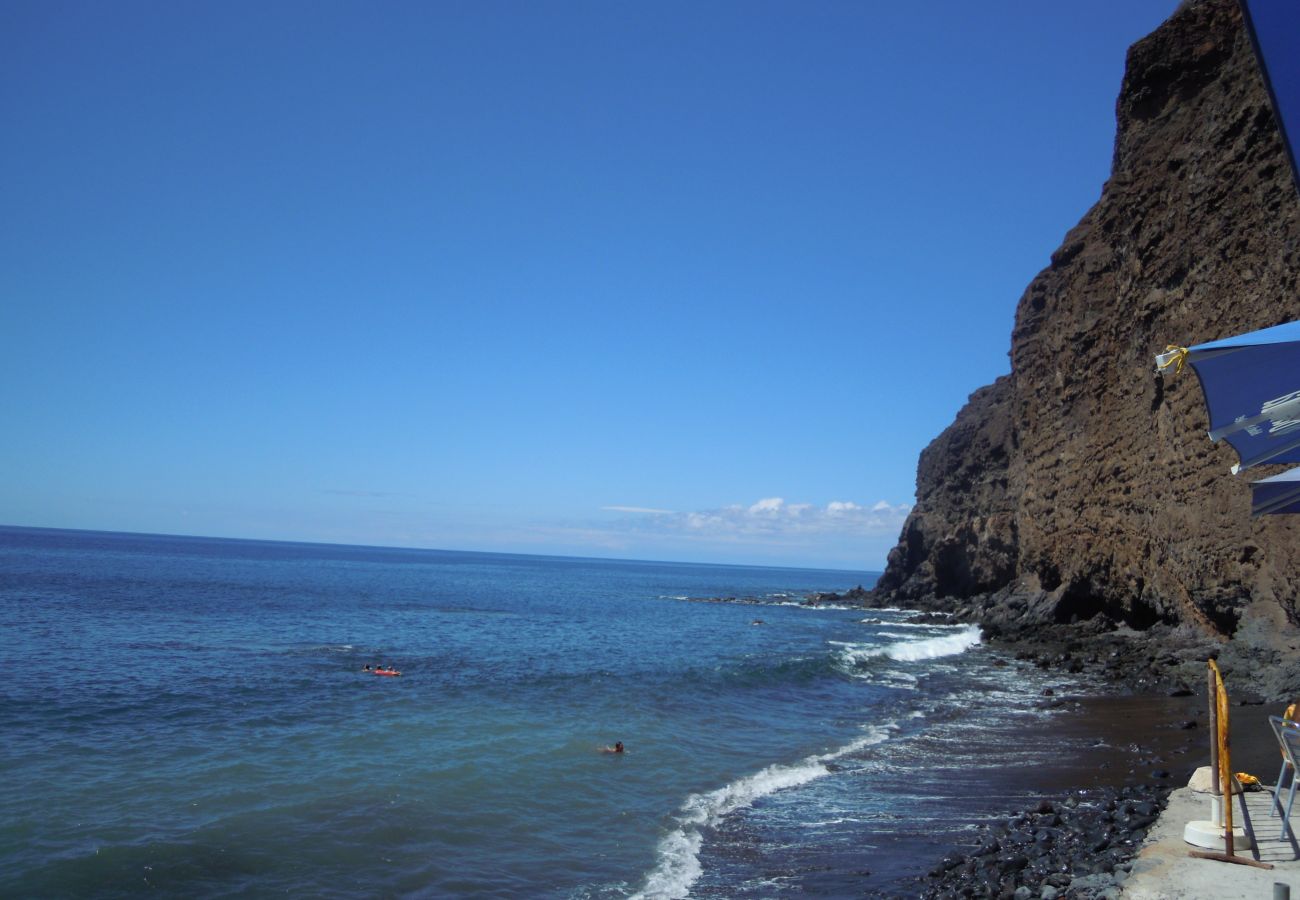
(192, 717)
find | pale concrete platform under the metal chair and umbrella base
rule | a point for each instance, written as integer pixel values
(1163, 869)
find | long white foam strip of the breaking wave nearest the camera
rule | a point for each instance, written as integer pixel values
(679, 851)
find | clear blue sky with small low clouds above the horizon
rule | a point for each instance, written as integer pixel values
(665, 280)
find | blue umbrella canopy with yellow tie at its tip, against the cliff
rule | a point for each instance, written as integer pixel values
(1253, 392)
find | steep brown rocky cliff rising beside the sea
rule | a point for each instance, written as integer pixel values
(1082, 491)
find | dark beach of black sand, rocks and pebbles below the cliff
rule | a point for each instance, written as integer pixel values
(1150, 686)
